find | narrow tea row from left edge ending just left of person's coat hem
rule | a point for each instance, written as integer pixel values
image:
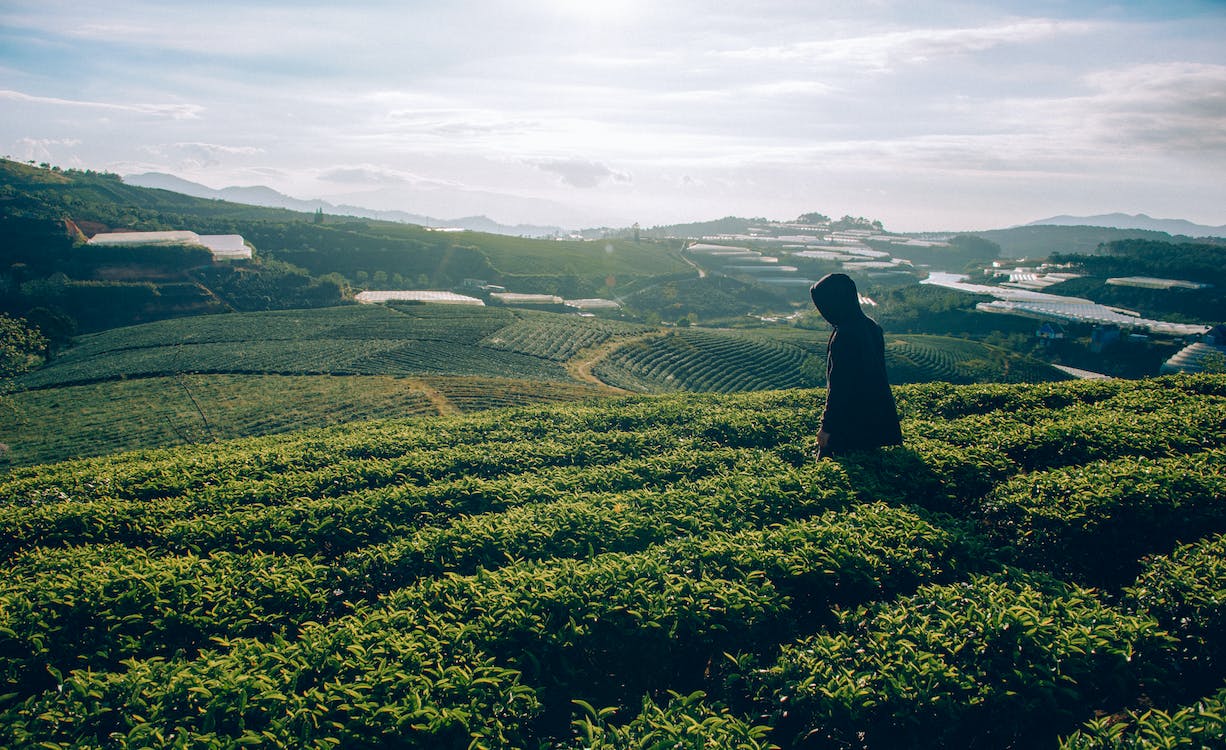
(330, 513)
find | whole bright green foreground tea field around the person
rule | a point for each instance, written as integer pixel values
(1040, 566)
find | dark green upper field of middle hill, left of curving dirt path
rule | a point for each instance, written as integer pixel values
(355, 340)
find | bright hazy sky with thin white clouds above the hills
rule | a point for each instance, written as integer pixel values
(926, 116)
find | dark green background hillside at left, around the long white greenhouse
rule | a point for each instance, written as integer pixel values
(302, 260)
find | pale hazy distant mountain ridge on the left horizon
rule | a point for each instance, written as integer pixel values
(261, 195)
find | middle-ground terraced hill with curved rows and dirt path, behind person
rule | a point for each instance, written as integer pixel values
(219, 377)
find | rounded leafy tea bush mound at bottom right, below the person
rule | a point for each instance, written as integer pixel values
(997, 661)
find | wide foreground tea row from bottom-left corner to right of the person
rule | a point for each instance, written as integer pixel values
(415, 671)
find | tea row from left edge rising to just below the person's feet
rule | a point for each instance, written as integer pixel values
(161, 602)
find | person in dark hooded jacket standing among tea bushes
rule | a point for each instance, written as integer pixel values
(860, 411)
